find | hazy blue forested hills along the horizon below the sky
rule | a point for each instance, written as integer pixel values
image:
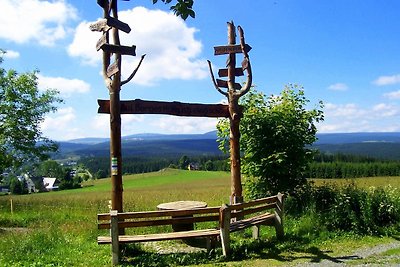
(381, 145)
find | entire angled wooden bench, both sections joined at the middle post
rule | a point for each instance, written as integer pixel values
(227, 219)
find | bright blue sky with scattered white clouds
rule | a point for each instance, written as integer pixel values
(344, 53)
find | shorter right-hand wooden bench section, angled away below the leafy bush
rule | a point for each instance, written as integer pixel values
(266, 211)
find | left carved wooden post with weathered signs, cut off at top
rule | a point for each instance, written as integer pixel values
(112, 78)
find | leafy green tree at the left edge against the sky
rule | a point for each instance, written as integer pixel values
(23, 107)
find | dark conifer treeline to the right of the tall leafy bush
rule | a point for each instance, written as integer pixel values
(351, 166)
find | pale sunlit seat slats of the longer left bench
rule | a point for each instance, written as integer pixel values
(160, 237)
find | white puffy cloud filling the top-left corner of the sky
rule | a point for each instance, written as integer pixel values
(43, 22)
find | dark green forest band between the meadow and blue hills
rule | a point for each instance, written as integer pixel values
(325, 166)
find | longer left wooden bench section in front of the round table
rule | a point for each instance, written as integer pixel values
(116, 221)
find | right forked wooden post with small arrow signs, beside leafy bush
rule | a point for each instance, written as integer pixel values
(233, 93)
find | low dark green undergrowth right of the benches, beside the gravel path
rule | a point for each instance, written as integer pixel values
(349, 208)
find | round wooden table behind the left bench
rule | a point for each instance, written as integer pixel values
(182, 205)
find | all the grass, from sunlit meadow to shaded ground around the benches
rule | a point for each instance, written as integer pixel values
(59, 228)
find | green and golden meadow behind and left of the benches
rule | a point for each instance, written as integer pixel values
(59, 228)
